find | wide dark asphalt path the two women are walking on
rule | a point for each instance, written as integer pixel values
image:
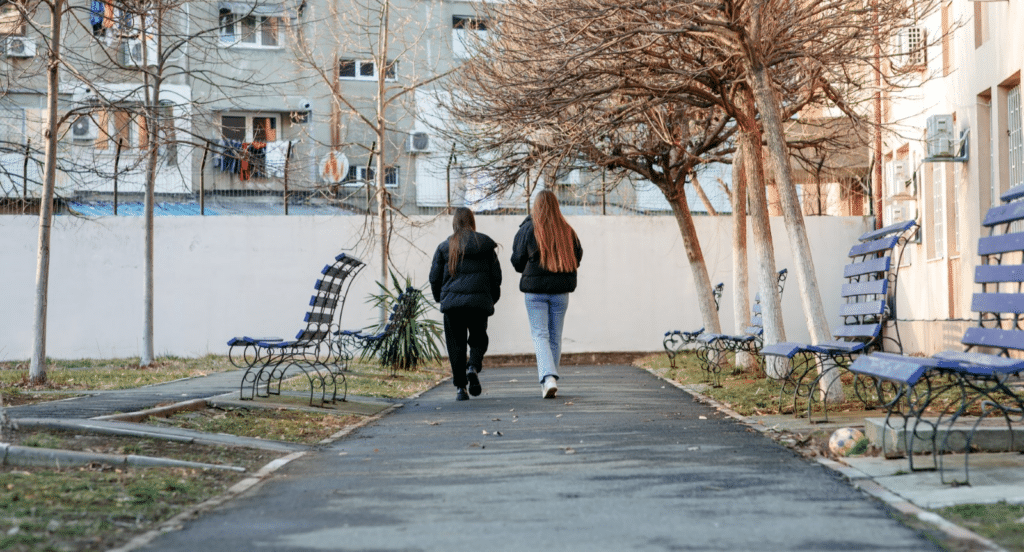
(620, 461)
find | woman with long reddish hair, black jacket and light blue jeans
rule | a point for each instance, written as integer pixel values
(547, 252)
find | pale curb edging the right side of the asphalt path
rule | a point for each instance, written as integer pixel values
(859, 480)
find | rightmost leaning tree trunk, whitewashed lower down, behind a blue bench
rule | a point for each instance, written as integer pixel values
(815, 312)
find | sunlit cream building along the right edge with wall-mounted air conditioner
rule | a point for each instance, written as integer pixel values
(957, 145)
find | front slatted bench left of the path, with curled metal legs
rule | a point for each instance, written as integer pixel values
(268, 361)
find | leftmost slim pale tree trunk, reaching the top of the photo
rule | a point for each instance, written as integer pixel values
(37, 368)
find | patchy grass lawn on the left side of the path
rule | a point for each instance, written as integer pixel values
(100, 507)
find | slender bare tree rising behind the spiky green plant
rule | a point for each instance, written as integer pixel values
(382, 45)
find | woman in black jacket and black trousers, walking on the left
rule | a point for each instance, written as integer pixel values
(466, 281)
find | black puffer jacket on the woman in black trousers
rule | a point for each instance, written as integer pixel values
(478, 282)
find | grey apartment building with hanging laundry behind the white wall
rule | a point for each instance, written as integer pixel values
(255, 99)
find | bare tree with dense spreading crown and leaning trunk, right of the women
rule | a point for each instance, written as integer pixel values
(536, 103)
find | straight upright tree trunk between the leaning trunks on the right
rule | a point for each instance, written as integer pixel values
(741, 271)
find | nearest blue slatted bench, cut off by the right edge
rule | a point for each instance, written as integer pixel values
(979, 381)
